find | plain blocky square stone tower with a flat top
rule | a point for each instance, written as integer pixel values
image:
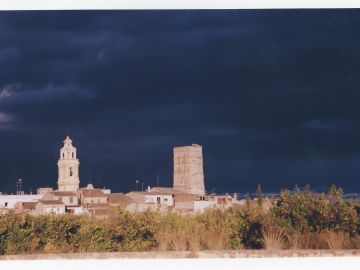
(188, 169)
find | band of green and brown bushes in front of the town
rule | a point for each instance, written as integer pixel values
(298, 219)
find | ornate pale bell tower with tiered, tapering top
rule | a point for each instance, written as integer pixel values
(68, 167)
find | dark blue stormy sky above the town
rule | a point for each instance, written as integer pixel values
(273, 96)
